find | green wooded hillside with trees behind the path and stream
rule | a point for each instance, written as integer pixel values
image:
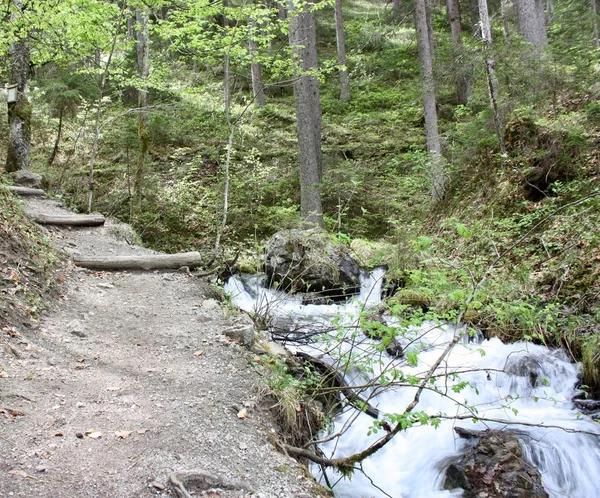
(456, 144)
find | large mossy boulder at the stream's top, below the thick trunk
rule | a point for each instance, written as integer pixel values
(310, 261)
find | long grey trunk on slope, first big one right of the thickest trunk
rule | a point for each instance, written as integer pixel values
(436, 170)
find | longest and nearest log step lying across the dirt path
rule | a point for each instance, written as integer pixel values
(144, 262)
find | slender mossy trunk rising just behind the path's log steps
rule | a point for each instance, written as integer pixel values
(143, 63)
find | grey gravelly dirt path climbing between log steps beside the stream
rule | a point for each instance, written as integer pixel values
(140, 359)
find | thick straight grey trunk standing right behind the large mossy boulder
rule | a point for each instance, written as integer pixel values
(303, 41)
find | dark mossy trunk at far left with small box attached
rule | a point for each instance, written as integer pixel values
(19, 112)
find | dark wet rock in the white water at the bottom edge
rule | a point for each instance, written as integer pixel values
(493, 467)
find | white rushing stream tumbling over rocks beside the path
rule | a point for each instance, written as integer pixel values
(524, 384)
